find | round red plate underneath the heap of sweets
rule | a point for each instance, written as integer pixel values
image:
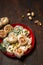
(31, 35)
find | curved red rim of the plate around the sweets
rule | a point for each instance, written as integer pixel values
(27, 52)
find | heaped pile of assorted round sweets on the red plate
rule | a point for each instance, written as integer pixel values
(17, 41)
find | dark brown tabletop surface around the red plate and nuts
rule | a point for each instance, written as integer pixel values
(14, 9)
